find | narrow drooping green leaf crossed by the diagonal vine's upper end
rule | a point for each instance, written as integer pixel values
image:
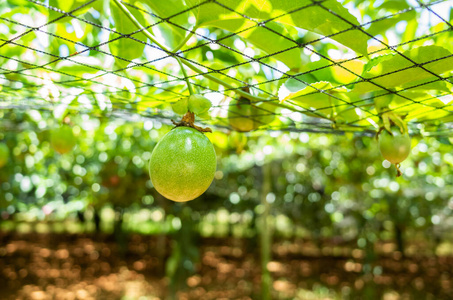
(125, 47)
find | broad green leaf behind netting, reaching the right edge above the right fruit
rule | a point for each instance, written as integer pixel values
(390, 73)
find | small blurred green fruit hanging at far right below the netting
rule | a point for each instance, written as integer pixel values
(394, 147)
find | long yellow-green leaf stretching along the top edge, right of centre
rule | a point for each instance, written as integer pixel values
(326, 18)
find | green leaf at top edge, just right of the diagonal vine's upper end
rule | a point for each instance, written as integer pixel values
(164, 9)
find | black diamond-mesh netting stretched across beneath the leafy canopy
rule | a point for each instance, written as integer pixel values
(23, 81)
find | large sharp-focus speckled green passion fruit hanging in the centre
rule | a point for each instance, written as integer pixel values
(183, 164)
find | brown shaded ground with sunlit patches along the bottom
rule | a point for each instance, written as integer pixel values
(52, 266)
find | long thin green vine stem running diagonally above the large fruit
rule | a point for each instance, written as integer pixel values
(193, 67)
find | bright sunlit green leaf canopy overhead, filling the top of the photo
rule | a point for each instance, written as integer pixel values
(317, 65)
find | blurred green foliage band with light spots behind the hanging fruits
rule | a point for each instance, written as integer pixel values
(322, 185)
